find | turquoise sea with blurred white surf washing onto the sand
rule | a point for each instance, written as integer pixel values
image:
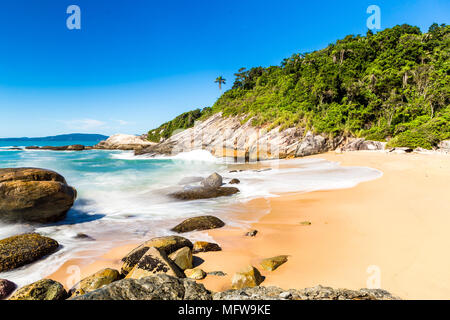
(122, 197)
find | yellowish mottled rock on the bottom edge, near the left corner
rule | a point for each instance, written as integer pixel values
(44, 289)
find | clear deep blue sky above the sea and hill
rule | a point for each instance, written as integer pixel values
(136, 64)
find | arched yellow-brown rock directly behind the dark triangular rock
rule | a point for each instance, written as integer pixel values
(167, 244)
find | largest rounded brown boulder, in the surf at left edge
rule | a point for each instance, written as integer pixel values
(34, 195)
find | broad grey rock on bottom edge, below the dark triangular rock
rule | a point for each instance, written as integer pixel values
(158, 287)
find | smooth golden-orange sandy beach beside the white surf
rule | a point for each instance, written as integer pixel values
(391, 231)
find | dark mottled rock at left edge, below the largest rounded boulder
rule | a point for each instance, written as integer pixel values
(20, 250)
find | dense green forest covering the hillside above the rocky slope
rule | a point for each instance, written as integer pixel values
(390, 86)
